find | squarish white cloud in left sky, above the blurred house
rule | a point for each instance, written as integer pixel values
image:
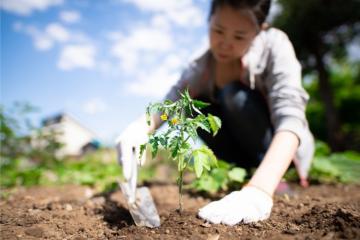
(77, 56)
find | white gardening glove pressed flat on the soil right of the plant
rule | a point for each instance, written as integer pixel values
(247, 205)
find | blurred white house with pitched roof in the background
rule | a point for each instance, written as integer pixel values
(76, 138)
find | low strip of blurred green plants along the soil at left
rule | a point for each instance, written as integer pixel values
(98, 170)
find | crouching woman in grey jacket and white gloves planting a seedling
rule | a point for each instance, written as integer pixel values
(252, 79)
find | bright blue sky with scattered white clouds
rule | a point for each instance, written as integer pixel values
(101, 61)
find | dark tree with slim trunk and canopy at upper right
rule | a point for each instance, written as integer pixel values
(320, 30)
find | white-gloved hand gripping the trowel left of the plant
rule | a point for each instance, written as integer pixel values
(128, 145)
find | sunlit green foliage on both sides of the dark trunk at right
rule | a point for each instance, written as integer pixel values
(345, 78)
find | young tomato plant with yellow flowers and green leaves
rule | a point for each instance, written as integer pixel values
(183, 118)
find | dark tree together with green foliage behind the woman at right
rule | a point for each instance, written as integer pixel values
(321, 34)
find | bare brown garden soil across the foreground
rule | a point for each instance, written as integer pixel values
(75, 212)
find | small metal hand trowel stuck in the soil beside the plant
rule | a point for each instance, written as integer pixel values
(140, 201)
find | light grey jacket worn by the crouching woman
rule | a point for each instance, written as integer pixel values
(273, 69)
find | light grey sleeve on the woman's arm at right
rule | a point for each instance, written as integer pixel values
(287, 97)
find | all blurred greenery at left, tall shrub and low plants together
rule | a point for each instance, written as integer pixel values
(29, 157)
